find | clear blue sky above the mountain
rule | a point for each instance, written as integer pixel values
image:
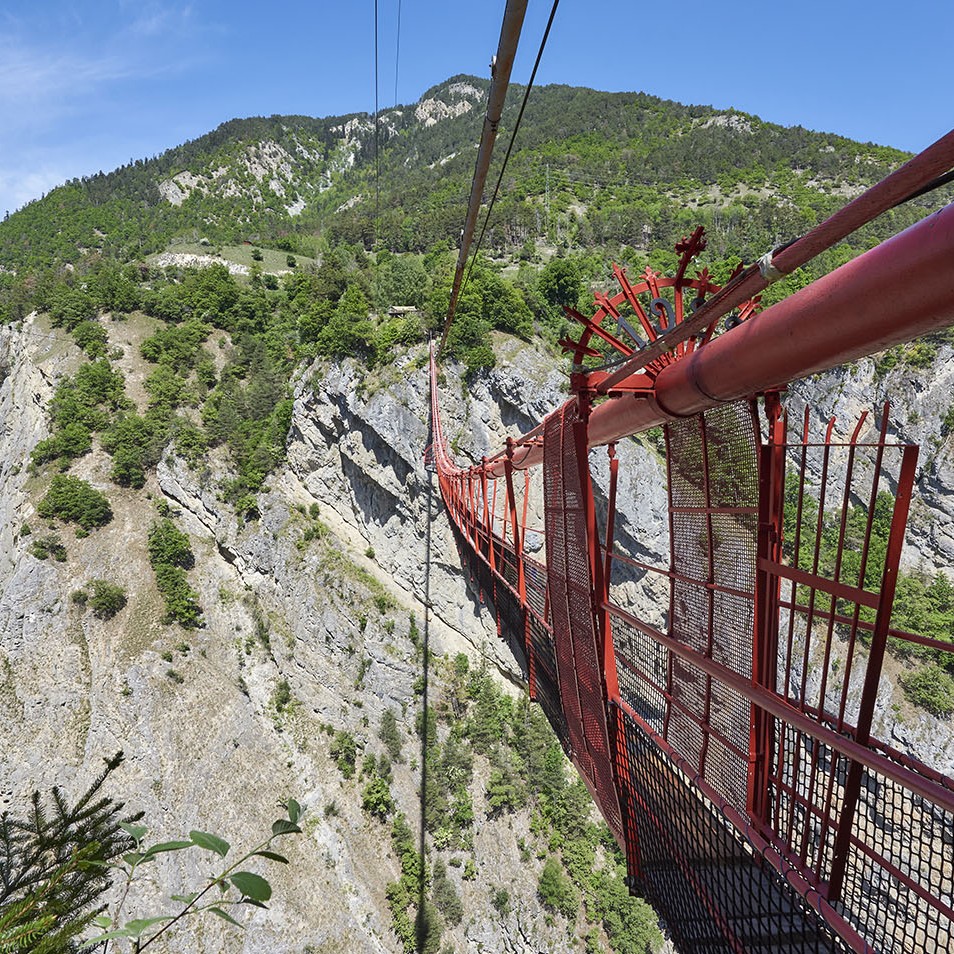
(87, 86)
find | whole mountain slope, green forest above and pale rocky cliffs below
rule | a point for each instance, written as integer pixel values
(213, 501)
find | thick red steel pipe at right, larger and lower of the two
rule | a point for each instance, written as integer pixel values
(893, 293)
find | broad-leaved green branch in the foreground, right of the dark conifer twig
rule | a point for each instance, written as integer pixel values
(235, 885)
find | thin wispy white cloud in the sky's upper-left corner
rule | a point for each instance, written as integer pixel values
(70, 73)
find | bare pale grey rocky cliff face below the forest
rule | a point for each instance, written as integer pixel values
(320, 601)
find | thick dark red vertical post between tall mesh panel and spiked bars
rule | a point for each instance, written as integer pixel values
(767, 584)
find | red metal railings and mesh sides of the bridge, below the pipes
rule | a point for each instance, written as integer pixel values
(739, 691)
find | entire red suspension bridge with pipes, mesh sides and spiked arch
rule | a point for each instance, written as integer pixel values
(727, 735)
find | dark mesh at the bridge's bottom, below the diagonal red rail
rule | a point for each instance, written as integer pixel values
(715, 892)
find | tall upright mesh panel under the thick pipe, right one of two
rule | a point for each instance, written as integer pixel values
(713, 479)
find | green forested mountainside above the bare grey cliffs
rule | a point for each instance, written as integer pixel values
(594, 178)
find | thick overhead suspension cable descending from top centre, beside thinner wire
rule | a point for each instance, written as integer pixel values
(501, 67)
